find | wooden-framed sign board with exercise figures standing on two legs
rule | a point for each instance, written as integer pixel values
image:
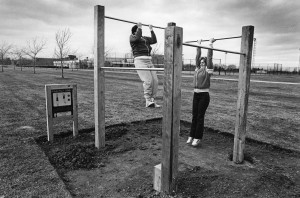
(61, 104)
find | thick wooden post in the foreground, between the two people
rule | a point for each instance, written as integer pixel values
(172, 106)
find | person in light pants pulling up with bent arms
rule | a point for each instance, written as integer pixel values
(141, 50)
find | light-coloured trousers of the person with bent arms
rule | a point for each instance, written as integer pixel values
(149, 78)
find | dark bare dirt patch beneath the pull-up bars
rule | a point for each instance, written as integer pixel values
(124, 168)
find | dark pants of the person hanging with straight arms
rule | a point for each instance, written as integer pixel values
(200, 104)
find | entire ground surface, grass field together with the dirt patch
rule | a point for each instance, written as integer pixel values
(124, 168)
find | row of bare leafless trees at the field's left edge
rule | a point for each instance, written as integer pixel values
(36, 45)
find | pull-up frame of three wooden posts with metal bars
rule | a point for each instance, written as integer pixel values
(166, 180)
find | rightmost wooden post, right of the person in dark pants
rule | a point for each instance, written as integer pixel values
(243, 94)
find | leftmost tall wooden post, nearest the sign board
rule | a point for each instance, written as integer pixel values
(99, 82)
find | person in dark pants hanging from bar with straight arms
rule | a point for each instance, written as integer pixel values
(201, 98)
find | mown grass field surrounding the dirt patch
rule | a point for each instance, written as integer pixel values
(273, 118)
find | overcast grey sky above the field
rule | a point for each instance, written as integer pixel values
(276, 24)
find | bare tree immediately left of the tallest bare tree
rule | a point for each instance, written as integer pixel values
(34, 46)
